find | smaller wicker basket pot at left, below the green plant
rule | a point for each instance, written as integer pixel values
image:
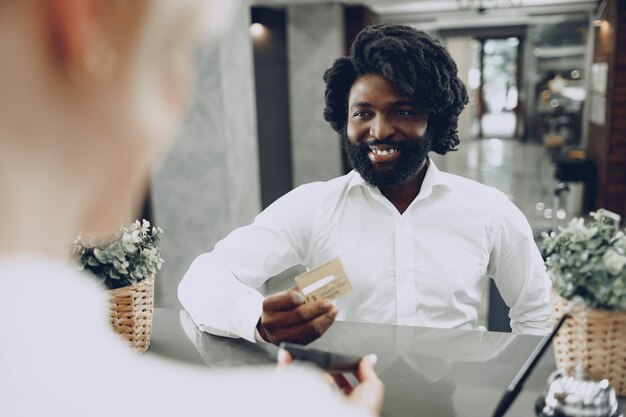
(131, 312)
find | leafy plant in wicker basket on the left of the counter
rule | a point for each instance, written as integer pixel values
(126, 264)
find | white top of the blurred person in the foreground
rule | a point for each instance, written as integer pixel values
(60, 357)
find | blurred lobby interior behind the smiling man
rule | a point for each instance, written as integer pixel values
(546, 122)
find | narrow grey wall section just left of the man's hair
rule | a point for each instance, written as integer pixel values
(315, 36)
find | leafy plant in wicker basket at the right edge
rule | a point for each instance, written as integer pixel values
(589, 260)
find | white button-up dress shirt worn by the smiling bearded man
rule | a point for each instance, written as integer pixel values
(425, 267)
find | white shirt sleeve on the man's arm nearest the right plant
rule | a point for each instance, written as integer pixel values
(519, 273)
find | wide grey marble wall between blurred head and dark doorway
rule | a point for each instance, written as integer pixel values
(209, 184)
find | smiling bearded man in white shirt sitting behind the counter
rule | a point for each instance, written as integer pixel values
(418, 244)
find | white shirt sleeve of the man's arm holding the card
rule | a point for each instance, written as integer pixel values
(219, 291)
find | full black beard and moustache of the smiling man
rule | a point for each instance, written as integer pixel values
(413, 154)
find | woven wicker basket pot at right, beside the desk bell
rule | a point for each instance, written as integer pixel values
(604, 350)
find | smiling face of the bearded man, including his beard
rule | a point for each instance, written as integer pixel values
(385, 136)
